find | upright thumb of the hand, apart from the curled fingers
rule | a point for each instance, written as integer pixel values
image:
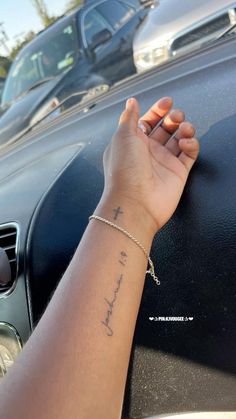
(129, 118)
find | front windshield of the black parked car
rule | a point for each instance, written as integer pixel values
(45, 59)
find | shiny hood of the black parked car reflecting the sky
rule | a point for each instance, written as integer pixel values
(19, 113)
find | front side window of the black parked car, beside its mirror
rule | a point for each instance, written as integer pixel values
(94, 23)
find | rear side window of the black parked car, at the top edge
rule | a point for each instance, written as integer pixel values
(115, 12)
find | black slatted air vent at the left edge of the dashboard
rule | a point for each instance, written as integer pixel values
(8, 241)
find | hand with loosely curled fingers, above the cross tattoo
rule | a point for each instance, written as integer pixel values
(150, 171)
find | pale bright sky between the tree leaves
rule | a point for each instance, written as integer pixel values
(19, 17)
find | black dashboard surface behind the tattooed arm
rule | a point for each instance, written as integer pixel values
(52, 182)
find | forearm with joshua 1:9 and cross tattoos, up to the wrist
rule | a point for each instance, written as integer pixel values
(83, 341)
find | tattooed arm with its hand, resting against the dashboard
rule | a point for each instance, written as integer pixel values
(75, 364)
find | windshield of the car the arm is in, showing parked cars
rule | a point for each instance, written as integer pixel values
(105, 43)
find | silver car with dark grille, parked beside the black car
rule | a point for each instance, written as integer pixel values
(178, 26)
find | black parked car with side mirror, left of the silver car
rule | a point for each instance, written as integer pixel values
(90, 47)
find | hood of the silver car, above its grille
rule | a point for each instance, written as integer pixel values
(173, 16)
